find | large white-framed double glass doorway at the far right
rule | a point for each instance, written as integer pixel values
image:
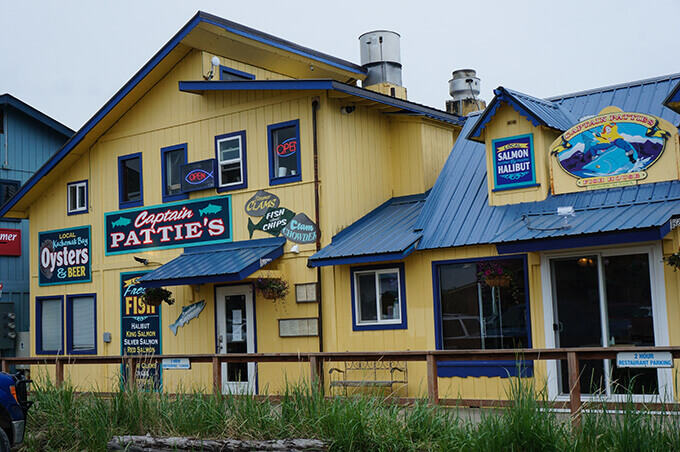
(604, 298)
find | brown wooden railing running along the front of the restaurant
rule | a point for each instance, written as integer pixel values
(573, 356)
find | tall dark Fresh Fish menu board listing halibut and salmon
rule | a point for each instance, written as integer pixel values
(140, 329)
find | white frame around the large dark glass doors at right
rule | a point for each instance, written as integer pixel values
(659, 316)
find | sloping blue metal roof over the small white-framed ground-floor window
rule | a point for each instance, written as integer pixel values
(384, 234)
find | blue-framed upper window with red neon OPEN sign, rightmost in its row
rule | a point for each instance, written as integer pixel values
(284, 152)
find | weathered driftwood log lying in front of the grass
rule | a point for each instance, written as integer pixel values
(151, 444)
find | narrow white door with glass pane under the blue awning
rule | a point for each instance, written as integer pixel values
(236, 334)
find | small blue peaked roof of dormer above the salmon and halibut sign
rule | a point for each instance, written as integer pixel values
(537, 111)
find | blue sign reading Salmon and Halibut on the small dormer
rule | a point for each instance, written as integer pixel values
(513, 162)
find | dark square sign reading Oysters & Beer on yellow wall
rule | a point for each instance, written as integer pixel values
(64, 256)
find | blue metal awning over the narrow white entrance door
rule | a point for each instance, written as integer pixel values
(216, 263)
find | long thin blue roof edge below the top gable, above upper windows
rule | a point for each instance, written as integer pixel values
(198, 87)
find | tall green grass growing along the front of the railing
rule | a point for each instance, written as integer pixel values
(62, 419)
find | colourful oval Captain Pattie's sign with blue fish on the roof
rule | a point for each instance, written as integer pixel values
(611, 149)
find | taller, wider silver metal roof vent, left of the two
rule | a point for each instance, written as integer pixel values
(381, 57)
